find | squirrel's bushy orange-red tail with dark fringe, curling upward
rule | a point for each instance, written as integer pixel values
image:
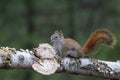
(99, 37)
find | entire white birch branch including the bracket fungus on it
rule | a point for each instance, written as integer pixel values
(44, 61)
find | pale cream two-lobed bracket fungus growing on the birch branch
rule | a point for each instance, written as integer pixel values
(47, 63)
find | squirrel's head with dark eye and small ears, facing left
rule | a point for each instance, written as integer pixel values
(57, 36)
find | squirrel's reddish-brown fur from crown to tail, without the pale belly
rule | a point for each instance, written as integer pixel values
(97, 38)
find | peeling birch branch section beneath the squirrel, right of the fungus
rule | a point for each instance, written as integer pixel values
(91, 67)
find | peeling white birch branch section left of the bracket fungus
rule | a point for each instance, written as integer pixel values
(11, 58)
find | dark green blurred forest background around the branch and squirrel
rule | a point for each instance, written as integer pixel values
(26, 23)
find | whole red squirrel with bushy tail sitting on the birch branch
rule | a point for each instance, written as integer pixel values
(69, 47)
